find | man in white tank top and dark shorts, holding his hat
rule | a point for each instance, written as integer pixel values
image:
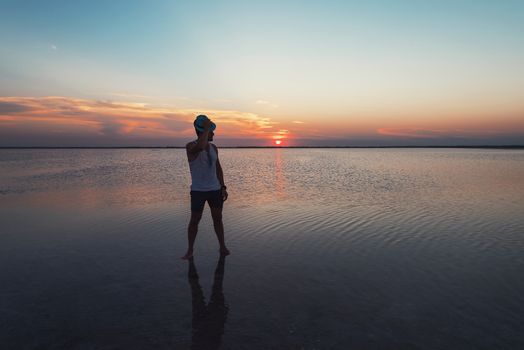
(207, 183)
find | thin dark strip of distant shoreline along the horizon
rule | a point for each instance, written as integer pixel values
(274, 147)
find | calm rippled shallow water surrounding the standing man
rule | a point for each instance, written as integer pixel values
(331, 249)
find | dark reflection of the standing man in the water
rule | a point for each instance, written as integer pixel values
(208, 320)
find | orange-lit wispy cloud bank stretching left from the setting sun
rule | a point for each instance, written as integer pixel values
(124, 120)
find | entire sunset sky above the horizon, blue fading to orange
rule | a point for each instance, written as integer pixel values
(313, 73)
